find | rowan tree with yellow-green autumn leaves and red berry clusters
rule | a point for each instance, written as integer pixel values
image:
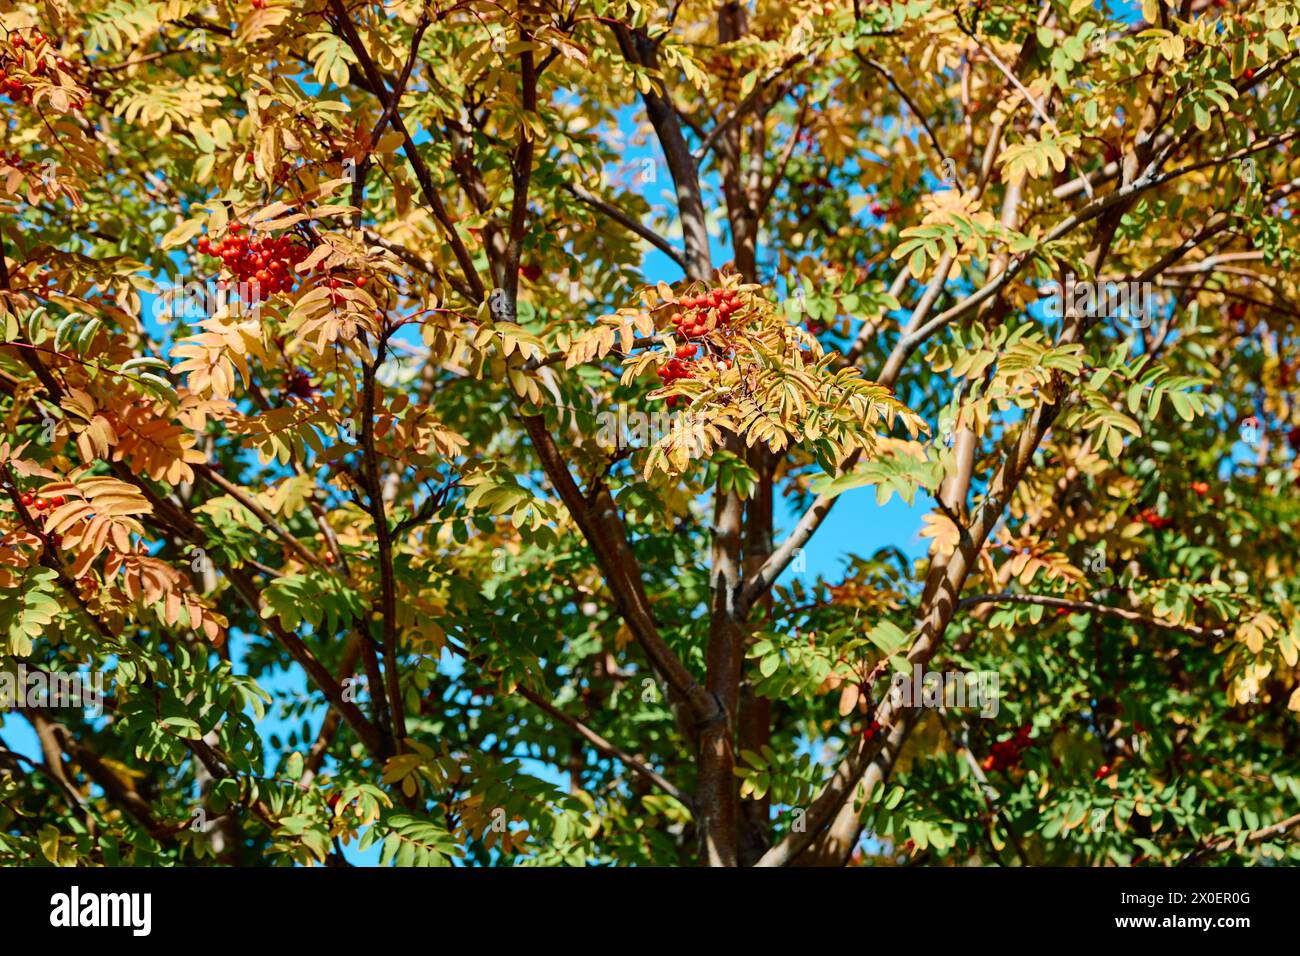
(315, 319)
